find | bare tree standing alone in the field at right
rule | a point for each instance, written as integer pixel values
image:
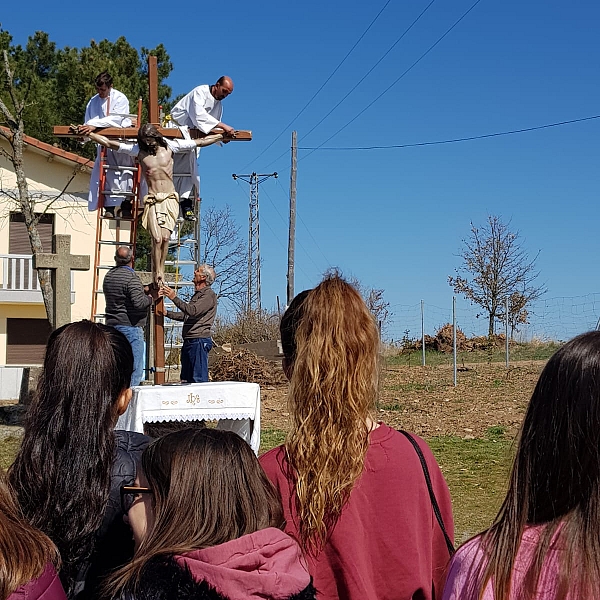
(496, 266)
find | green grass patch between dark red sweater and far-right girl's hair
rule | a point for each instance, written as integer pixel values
(477, 474)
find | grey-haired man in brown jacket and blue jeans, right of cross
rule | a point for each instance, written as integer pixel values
(197, 315)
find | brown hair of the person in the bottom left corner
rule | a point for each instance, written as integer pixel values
(24, 551)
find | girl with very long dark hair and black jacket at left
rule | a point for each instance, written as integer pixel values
(71, 464)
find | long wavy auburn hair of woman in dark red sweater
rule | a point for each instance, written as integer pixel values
(330, 343)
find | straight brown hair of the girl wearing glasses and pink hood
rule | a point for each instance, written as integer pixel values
(208, 489)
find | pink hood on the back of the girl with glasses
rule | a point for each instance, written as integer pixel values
(264, 564)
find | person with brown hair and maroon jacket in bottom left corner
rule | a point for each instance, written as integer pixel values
(27, 557)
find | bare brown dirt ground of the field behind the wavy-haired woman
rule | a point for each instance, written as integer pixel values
(425, 401)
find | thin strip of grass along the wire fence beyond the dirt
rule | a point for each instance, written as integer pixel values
(518, 352)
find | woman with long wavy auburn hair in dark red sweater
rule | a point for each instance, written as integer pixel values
(353, 489)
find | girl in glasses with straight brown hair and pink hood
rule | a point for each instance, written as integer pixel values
(206, 523)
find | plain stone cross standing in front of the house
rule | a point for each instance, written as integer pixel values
(61, 262)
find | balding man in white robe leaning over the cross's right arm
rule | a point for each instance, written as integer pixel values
(200, 109)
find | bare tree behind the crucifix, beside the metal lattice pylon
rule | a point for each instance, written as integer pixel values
(225, 250)
